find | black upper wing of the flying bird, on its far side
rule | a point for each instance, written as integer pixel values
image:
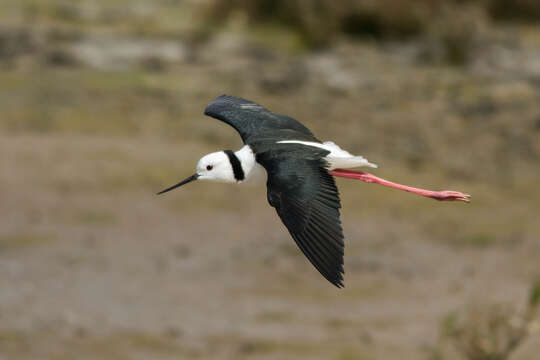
(251, 119)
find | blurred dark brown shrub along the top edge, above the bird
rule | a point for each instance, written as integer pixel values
(319, 21)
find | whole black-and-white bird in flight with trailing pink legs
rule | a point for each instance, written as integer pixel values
(300, 177)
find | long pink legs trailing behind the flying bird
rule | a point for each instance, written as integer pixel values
(370, 178)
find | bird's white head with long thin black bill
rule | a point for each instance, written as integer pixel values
(213, 167)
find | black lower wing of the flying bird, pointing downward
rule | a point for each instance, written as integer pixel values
(307, 201)
